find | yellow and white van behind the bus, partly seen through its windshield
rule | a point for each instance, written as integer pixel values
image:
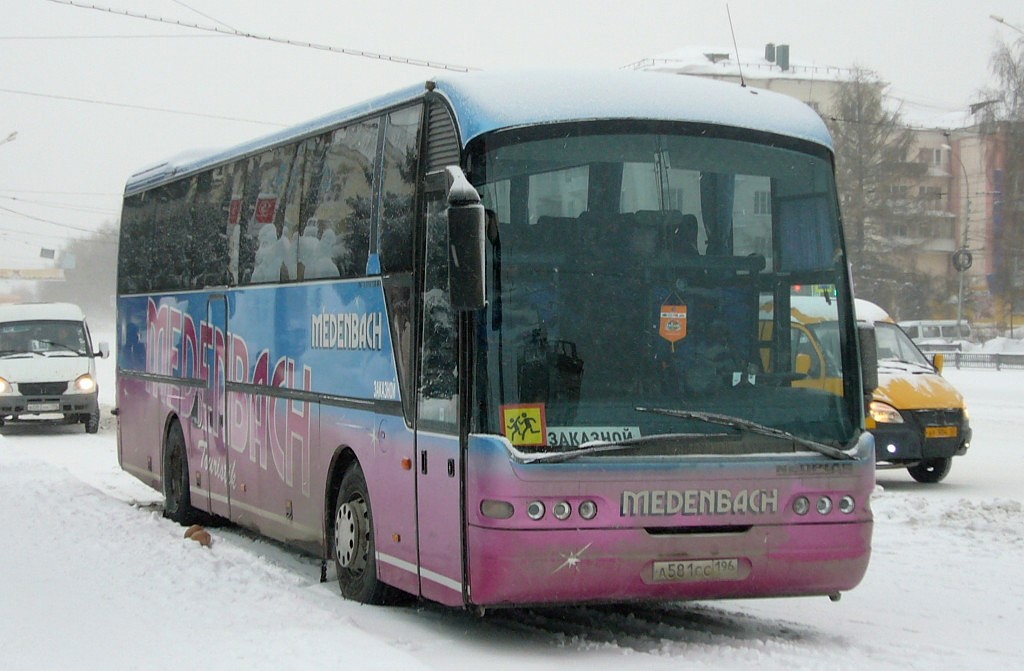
(919, 420)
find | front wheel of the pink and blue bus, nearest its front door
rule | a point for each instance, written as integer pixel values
(354, 541)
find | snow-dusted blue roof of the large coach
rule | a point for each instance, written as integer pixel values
(485, 102)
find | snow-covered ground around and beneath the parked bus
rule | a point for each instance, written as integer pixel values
(94, 578)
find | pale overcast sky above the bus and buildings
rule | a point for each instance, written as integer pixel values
(96, 96)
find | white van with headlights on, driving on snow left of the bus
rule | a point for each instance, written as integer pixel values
(48, 365)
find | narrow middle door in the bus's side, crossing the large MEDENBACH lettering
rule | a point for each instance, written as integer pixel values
(217, 467)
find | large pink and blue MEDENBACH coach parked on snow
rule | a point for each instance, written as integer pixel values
(496, 341)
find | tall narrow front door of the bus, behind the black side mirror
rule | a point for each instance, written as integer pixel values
(438, 448)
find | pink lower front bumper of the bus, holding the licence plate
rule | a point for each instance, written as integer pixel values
(535, 567)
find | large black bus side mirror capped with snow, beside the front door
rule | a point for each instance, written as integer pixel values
(467, 233)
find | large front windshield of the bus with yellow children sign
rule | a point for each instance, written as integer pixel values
(632, 268)
